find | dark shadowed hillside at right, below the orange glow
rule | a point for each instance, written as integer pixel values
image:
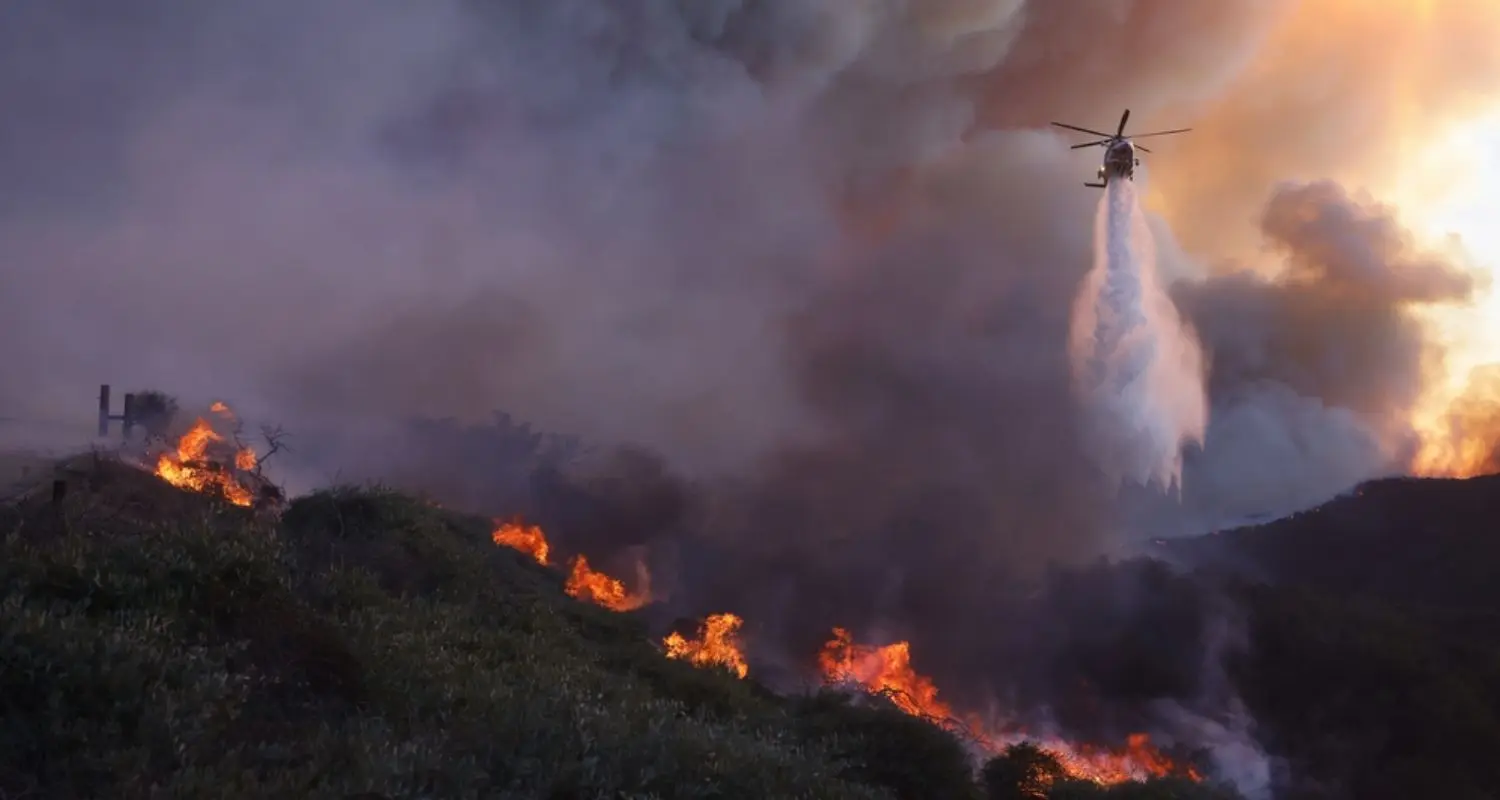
(1375, 637)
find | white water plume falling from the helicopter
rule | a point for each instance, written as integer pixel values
(1138, 368)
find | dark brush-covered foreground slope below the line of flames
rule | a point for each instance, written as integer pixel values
(370, 645)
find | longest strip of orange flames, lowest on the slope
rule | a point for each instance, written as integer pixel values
(887, 670)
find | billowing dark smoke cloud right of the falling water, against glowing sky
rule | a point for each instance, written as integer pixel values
(1316, 371)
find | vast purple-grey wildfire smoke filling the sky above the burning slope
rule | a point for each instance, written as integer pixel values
(815, 254)
